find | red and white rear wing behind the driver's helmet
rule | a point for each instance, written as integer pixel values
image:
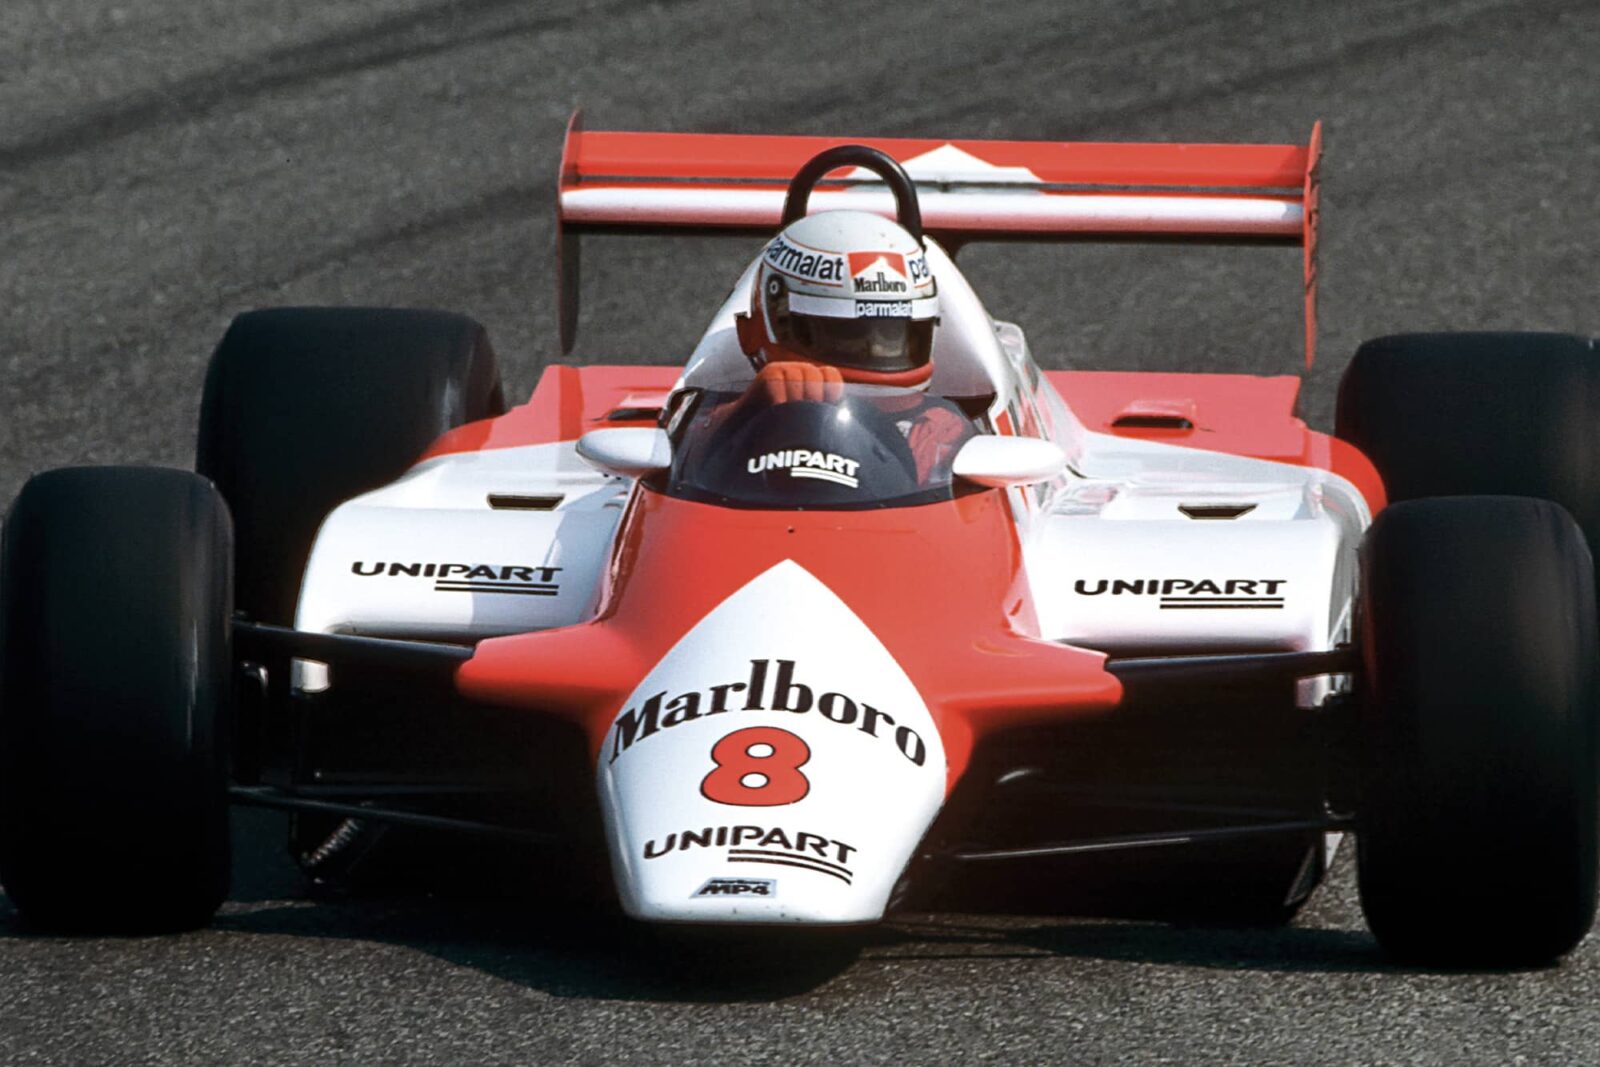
(1046, 191)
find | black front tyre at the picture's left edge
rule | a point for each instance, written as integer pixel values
(114, 693)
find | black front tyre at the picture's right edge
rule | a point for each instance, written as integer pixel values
(1478, 828)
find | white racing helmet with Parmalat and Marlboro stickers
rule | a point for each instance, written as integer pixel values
(850, 290)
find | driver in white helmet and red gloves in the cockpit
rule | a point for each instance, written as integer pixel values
(847, 297)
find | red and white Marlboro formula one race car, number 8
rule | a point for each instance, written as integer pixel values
(778, 668)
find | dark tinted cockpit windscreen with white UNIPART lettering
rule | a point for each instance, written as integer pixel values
(862, 447)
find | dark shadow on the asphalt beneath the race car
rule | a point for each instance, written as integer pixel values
(570, 946)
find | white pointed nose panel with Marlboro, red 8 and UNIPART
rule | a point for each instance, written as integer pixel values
(777, 765)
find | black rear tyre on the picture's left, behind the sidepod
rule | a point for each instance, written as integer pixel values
(308, 407)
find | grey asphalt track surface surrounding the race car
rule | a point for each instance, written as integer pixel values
(166, 166)
